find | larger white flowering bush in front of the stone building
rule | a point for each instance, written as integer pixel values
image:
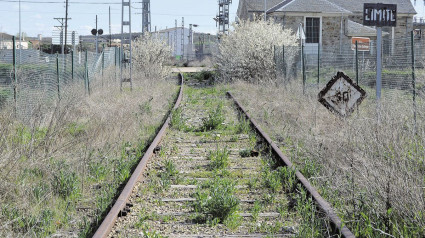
(247, 53)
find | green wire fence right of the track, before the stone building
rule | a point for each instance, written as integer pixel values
(403, 69)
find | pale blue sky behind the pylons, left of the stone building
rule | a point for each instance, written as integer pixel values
(37, 15)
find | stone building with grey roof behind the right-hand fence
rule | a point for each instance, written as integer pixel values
(332, 23)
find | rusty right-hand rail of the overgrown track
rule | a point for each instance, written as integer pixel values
(322, 203)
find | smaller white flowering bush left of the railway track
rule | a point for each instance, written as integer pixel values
(150, 54)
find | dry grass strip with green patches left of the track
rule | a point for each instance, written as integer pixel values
(60, 169)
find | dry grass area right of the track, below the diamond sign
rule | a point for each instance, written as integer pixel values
(372, 172)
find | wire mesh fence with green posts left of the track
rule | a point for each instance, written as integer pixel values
(30, 79)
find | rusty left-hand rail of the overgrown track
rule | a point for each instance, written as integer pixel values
(120, 204)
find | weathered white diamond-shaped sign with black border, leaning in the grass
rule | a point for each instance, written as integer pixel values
(341, 95)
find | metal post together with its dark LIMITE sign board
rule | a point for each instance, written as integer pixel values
(379, 15)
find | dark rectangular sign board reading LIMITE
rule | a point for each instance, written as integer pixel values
(378, 14)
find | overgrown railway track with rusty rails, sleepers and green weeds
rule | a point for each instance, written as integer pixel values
(213, 175)
